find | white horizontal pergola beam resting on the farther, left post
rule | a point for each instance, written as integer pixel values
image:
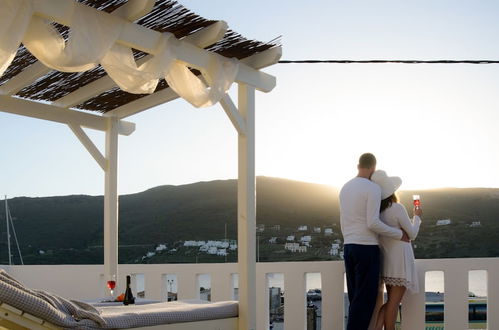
(48, 112)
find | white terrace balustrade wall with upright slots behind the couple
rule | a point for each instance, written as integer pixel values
(86, 281)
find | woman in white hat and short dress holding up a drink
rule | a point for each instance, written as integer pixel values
(398, 270)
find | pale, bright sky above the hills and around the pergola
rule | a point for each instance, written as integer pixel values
(432, 125)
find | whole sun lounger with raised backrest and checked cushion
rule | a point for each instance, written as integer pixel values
(24, 308)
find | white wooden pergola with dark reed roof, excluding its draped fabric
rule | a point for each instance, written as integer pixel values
(27, 90)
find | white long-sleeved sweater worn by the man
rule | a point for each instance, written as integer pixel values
(360, 200)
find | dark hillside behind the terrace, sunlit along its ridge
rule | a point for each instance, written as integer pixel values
(68, 229)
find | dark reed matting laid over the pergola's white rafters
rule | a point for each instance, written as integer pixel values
(166, 16)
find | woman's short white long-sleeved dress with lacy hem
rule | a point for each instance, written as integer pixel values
(398, 258)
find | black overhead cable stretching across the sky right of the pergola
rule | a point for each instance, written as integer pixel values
(390, 61)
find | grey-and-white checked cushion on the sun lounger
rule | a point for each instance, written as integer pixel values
(79, 315)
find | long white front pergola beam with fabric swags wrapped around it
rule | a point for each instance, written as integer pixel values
(147, 40)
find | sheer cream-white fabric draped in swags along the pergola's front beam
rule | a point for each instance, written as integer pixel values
(92, 41)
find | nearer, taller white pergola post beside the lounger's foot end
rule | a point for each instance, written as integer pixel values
(246, 210)
